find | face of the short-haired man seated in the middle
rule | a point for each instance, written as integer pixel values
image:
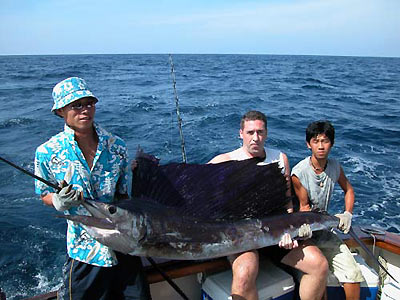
(254, 135)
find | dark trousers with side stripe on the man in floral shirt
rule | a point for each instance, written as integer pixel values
(123, 281)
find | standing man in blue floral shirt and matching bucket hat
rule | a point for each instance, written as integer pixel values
(86, 161)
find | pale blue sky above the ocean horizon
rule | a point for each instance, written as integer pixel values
(296, 27)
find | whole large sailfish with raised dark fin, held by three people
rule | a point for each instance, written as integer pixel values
(198, 211)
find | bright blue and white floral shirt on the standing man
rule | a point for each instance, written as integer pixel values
(59, 159)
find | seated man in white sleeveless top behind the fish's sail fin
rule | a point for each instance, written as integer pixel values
(303, 256)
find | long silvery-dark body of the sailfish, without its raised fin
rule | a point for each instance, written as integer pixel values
(161, 232)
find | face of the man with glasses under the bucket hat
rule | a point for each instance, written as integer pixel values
(79, 115)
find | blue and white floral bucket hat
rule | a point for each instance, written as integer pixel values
(70, 90)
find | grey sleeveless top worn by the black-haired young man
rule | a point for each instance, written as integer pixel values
(319, 186)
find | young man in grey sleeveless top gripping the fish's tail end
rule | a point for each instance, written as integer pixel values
(314, 179)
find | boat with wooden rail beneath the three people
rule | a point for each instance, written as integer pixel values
(190, 276)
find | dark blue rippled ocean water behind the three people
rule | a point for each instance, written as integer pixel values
(361, 96)
